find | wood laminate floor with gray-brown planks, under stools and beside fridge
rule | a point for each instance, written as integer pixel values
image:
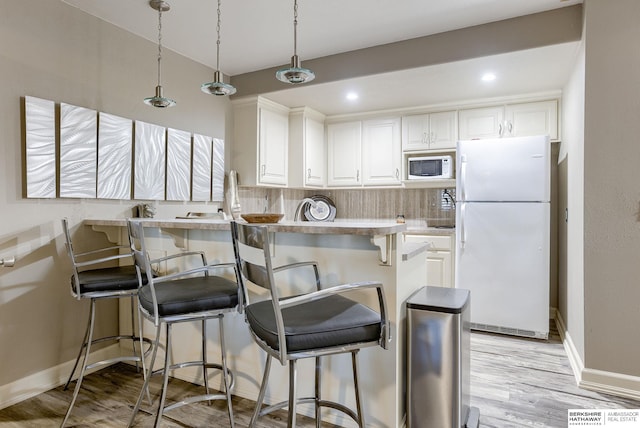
(515, 382)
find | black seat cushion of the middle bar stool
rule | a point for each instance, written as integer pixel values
(189, 295)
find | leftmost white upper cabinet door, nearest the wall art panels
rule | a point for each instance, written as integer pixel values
(274, 137)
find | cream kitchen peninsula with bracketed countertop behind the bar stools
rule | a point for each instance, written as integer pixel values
(346, 251)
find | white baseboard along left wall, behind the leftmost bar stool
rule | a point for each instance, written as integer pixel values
(45, 380)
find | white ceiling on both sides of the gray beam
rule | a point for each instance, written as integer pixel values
(258, 34)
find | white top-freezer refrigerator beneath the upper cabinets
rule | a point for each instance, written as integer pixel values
(502, 233)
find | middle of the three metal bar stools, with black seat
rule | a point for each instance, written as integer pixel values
(183, 296)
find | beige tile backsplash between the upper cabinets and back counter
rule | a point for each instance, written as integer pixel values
(434, 206)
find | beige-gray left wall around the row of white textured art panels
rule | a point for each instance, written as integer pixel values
(53, 51)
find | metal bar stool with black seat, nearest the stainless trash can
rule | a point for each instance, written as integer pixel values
(319, 323)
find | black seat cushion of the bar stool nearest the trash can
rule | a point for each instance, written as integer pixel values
(331, 321)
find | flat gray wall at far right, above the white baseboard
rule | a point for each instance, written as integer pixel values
(612, 186)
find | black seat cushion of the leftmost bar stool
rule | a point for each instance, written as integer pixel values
(118, 278)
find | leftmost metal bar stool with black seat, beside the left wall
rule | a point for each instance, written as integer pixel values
(96, 284)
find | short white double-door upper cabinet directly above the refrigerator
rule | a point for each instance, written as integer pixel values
(511, 120)
